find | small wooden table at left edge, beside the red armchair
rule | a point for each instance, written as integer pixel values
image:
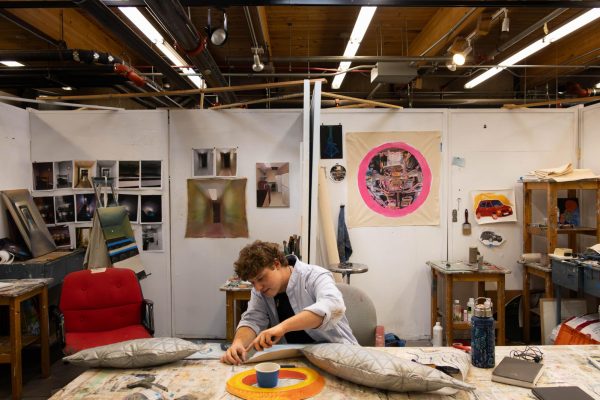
(10, 348)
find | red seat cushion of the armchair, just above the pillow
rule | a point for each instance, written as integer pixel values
(76, 341)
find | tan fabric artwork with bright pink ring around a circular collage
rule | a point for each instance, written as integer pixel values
(393, 178)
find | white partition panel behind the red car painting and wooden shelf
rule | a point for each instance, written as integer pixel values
(498, 147)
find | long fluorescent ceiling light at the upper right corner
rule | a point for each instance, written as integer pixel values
(561, 32)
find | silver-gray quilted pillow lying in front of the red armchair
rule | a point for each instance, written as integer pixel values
(135, 353)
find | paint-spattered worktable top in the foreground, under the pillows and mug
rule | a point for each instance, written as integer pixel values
(206, 379)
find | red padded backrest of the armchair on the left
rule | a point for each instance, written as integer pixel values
(101, 301)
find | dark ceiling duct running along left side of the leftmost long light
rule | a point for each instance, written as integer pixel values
(110, 21)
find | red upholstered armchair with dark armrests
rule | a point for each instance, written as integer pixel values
(99, 308)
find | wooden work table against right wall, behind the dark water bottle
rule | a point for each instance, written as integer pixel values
(488, 273)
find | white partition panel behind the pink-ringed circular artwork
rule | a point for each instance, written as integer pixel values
(398, 280)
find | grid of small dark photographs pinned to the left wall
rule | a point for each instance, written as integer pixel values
(69, 214)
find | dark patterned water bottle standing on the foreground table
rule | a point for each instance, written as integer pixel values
(483, 337)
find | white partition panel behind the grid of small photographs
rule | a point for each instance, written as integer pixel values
(115, 135)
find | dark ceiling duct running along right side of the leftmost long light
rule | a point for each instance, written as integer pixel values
(174, 18)
